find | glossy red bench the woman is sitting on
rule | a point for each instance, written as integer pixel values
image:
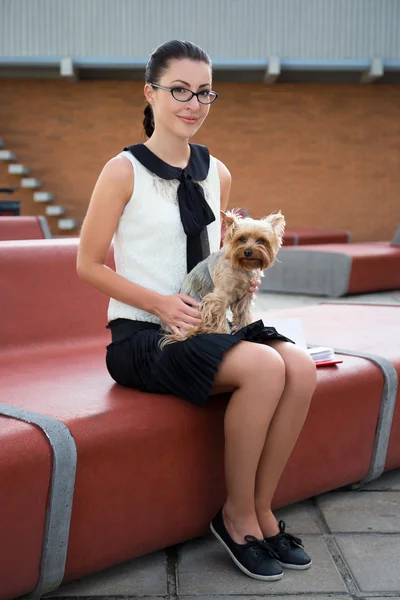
(98, 474)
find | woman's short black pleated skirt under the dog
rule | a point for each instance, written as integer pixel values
(186, 369)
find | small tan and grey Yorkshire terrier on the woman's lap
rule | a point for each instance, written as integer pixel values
(222, 280)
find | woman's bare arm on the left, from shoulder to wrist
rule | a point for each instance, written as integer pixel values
(111, 193)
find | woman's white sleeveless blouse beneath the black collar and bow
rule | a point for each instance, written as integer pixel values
(150, 243)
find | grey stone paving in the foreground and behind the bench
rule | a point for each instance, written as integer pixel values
(352, 536)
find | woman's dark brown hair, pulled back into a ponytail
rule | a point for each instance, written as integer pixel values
(159, 62)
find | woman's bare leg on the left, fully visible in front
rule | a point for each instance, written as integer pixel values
(256, 393)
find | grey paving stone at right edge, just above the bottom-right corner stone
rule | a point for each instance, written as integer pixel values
(361, 511)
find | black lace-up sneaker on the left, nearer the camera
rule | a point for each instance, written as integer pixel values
(255, 558)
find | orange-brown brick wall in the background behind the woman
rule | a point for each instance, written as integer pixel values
(326, 155)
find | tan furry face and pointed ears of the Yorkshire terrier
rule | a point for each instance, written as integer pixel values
(250, 243)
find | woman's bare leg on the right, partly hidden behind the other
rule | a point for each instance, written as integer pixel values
(284, 429)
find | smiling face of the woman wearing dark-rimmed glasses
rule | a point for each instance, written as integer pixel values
(182, 119)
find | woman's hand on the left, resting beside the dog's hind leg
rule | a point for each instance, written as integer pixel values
(179, 311)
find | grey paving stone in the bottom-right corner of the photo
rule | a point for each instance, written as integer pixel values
(373, 560)
